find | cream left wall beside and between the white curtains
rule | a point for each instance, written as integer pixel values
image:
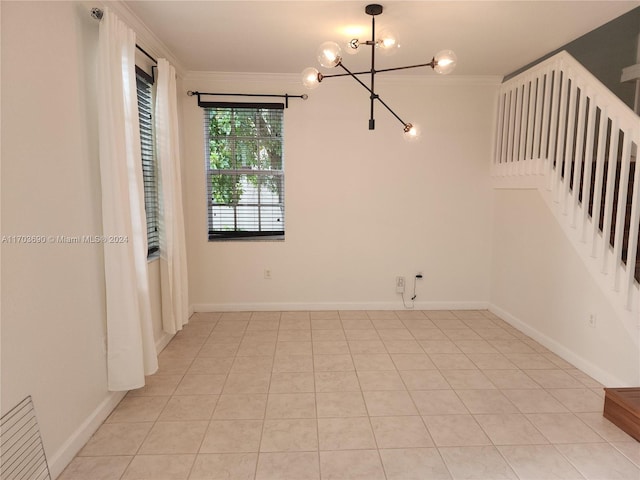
(53, 304)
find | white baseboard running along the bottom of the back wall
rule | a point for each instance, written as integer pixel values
(289, 307)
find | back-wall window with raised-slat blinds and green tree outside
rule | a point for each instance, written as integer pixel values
(244, 167)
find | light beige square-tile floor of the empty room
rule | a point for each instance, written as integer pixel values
(394, 395)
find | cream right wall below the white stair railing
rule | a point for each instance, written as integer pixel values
(539, 283)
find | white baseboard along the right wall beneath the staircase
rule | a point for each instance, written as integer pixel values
(595, 372)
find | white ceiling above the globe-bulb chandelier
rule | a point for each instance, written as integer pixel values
(489, 37)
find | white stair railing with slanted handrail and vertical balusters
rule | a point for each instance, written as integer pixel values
(561, 131)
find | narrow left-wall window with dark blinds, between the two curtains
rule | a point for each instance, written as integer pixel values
(149, 171)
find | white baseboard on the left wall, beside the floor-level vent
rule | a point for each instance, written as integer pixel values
(61, 458)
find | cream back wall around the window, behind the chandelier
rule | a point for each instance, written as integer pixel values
(361, 206)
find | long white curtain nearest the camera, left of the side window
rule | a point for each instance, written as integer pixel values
(131, 352)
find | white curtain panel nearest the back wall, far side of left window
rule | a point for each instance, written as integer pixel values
(173, 253)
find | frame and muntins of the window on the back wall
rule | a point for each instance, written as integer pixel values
(278, 175)
